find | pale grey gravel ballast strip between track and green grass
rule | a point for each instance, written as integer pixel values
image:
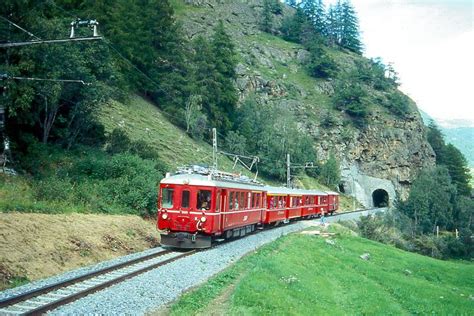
(156, 288)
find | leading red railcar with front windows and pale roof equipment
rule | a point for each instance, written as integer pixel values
(194, 207)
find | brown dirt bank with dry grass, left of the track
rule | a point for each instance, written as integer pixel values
(35, 246)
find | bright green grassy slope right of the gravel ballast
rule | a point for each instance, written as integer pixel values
(305, 275)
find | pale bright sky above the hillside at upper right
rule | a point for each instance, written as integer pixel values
(431, 46)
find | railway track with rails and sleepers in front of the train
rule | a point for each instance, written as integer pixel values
(41, 300)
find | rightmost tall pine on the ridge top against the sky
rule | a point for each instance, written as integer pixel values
(350, 35)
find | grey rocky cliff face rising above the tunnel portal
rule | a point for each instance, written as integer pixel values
(386, 155)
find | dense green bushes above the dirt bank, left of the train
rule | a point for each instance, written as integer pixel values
(90, 180)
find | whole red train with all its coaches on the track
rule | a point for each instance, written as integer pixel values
(195, 206)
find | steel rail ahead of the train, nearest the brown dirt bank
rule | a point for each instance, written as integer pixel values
(55, 286)
